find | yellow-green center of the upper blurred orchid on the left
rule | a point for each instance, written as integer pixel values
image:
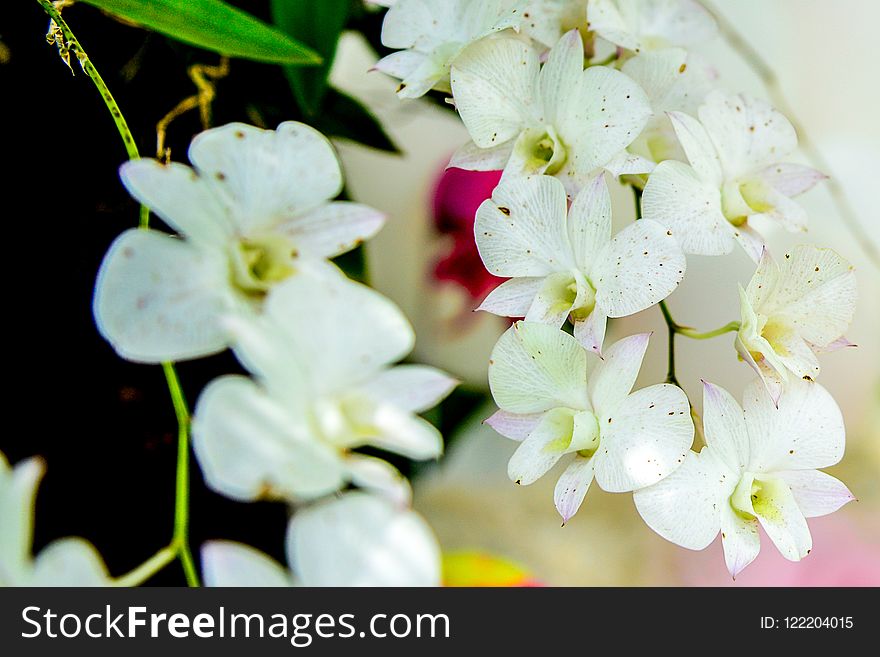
(258, 264)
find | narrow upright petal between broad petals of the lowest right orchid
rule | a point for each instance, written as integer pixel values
(724, 428)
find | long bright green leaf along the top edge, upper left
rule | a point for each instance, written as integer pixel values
(213, 25)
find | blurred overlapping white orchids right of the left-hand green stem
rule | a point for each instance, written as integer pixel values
(249, 270)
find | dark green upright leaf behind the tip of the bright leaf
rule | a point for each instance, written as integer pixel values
(318, 24)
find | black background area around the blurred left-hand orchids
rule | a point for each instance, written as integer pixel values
(105, 427)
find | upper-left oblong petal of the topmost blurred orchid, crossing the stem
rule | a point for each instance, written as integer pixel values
(181, 199)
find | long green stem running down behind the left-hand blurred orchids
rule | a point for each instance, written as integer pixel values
(180, 542)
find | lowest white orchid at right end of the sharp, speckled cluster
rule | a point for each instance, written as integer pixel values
(759, 467)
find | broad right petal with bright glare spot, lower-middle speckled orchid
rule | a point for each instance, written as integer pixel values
(645, 439)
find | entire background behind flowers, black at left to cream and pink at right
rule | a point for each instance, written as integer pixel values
(106, 428)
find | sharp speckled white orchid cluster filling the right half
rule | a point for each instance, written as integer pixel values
(542, 103)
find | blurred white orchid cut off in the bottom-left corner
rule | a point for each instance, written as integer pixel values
(65, 562)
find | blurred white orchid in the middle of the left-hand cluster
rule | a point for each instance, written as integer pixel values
(322, 354)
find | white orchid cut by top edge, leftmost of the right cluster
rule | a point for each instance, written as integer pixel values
(430, 34)
